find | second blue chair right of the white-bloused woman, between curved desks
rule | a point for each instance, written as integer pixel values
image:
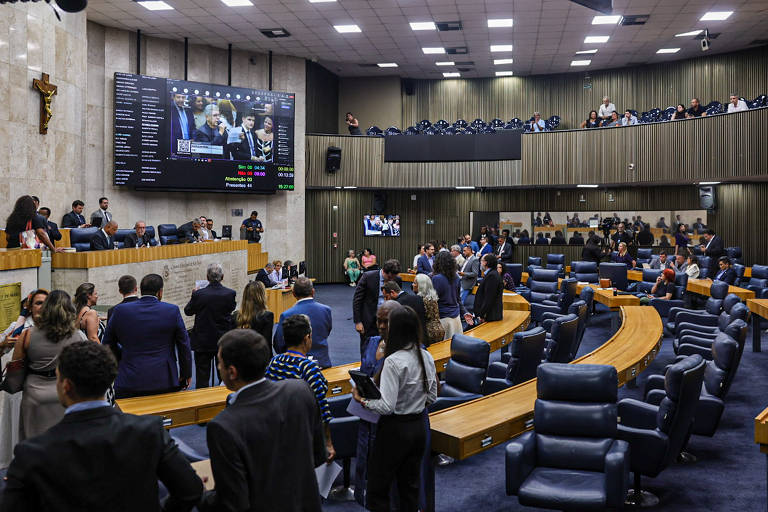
(518, 364)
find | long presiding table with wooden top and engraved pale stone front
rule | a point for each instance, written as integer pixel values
(179, 265)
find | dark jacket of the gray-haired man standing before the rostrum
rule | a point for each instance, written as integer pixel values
(212, 307)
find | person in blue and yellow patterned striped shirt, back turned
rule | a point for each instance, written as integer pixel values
(294, 363)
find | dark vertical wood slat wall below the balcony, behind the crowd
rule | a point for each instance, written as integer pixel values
(736, 219)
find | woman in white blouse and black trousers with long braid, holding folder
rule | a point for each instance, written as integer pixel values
(408, 383)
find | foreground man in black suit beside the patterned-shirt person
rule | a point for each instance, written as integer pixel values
(265, 445)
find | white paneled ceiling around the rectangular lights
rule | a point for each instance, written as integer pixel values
(546, 33)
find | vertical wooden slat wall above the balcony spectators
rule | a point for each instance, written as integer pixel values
(641, 88)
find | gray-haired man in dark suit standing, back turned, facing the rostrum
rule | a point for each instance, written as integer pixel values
(212, 307)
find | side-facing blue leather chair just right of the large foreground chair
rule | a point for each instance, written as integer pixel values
(657, 434)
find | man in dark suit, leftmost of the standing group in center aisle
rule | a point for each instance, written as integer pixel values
(368, 296)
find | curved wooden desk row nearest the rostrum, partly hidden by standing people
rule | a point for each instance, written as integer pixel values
(201, 405)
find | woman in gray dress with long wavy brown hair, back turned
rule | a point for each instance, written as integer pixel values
(39, 347)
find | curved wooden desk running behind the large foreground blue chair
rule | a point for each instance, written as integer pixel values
(470, 428)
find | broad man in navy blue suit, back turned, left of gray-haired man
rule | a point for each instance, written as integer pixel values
(146, 335)
